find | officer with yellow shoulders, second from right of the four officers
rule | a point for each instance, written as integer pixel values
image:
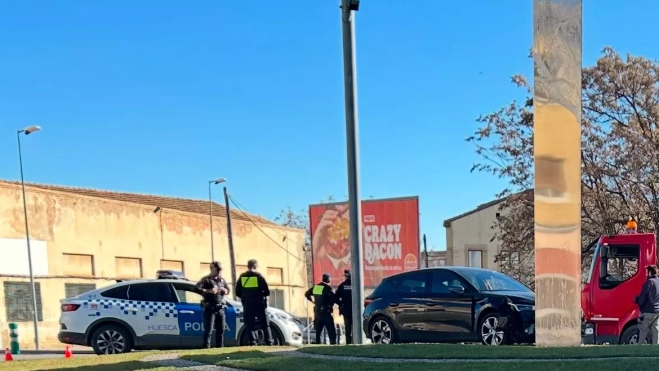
(323, 299)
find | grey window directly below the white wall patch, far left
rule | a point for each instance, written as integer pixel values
(18, 301)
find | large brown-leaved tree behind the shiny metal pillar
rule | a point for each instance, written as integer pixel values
(620, 168)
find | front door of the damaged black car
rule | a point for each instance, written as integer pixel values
(449, 314)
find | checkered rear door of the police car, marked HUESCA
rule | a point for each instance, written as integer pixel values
(150, 310)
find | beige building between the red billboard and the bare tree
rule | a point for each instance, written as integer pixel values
(469, 237)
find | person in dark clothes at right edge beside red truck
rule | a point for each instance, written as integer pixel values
(648, 303)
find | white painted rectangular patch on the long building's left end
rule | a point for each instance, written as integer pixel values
(14, 261)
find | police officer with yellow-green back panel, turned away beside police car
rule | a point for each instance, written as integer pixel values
(253, 291)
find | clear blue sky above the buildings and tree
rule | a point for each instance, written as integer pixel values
(159, 96)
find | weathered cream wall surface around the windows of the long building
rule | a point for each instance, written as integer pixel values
(105, 229)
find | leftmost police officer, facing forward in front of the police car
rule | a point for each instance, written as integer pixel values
(213, 288)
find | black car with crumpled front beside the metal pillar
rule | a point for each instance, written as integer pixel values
(450, 304)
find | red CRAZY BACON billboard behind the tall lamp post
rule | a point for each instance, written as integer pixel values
(390, 238)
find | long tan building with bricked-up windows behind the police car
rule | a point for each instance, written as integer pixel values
(83, 239)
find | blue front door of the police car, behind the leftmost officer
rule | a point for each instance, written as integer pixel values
(190, 315)
